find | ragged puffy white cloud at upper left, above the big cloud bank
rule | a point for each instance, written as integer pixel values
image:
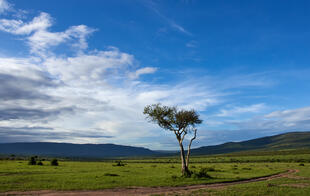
(40, 38)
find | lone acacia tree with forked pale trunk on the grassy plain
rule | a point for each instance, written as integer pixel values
(181, 122)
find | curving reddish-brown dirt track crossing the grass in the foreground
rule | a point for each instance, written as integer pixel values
(148, 190)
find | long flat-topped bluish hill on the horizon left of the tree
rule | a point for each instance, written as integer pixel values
(74, 150)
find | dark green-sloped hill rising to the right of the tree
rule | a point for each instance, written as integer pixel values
(293, 140)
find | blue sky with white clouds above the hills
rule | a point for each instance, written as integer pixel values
(82, 71)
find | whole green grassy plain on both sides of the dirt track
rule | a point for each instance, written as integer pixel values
(17, 175)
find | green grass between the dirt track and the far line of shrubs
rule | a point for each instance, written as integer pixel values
(17, 175)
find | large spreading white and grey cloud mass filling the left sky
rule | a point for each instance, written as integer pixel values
(92, 96)
